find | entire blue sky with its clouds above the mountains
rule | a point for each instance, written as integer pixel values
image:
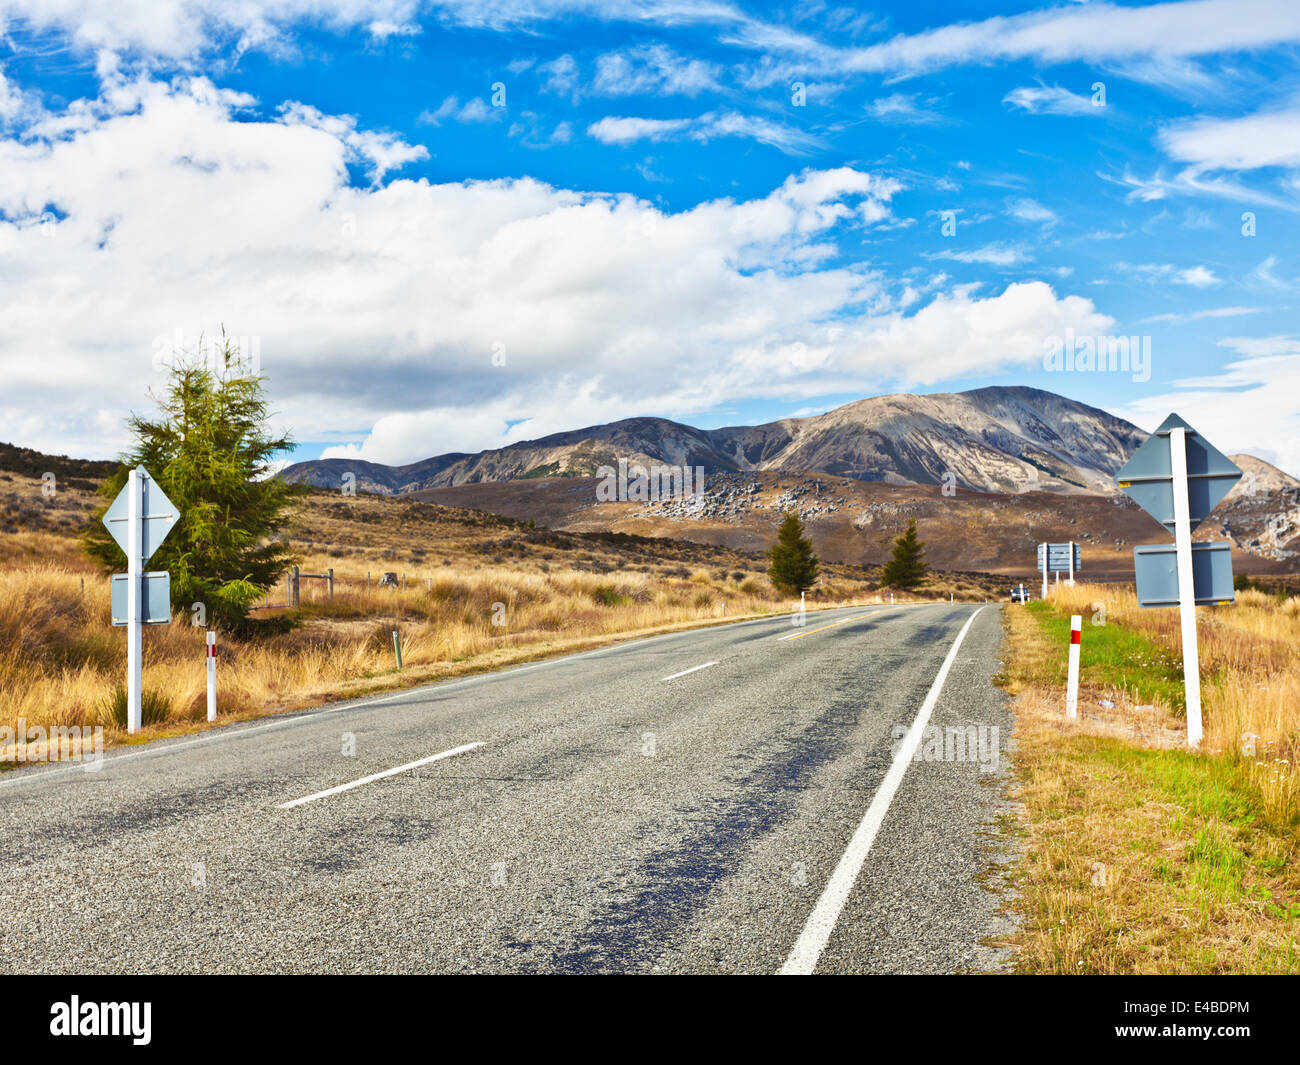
(453, 226)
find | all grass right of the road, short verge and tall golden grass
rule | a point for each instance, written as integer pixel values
(1139, 855)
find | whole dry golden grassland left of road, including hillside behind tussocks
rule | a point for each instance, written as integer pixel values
(480, 594)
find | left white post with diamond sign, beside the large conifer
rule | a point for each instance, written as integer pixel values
(148, 516)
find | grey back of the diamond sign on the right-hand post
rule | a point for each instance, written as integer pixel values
(1149, 477)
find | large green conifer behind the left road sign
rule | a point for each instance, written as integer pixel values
(210, 451)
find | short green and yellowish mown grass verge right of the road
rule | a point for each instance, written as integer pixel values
(1139, 860)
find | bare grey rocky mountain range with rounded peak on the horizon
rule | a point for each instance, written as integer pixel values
(993, 440)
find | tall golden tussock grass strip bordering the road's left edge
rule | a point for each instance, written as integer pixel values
(63, 664)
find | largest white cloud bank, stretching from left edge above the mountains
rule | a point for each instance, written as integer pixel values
(376, 311)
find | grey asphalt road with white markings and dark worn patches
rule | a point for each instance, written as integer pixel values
(617, 817)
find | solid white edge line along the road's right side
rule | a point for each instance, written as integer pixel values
(817, 933)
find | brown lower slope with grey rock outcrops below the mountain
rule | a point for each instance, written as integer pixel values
(856, 522)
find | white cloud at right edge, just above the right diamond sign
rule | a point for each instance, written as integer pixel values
(1250, 406)
